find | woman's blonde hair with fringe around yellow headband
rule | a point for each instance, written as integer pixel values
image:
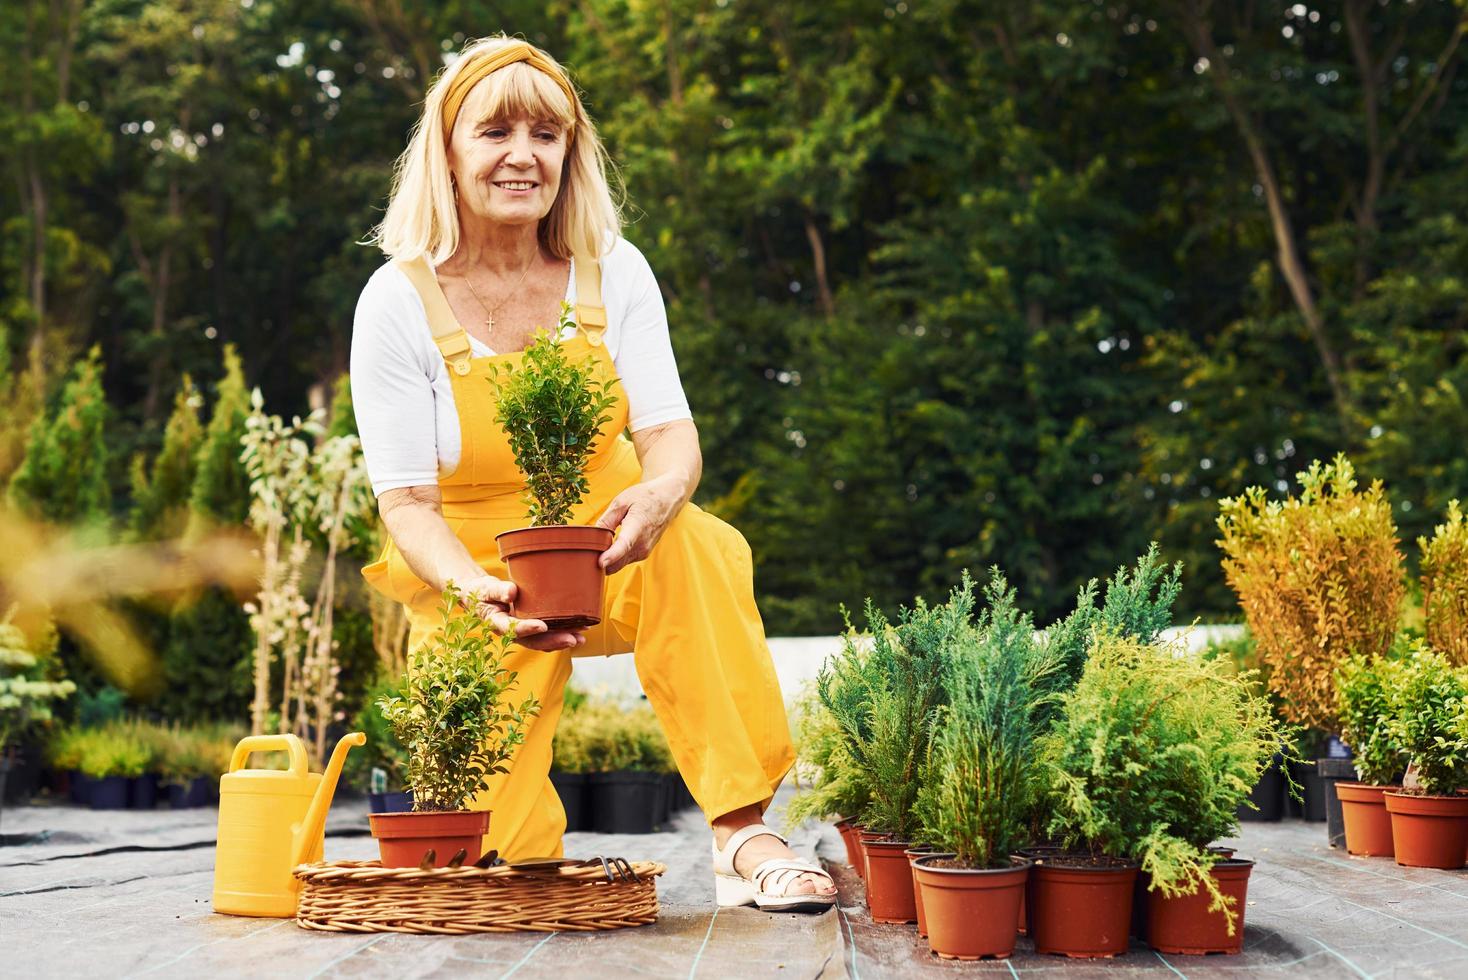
(422, 215)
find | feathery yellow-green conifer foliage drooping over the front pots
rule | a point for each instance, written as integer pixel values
(1152, 756)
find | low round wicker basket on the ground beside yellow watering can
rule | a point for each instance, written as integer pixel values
(363, 897)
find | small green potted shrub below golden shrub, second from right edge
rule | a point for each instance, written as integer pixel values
(1365, 695)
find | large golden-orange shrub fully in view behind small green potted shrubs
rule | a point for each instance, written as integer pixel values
(1319, 577)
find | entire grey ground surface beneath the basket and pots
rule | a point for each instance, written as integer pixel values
(127, 896)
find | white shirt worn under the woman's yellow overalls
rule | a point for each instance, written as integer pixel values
(401, 388)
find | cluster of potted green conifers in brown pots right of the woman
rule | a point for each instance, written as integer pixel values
(996, 780)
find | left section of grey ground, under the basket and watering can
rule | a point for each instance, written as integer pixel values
(123, 894)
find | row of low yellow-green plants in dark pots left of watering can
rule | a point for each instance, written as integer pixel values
(137, 764)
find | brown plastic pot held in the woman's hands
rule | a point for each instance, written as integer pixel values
(557, 574)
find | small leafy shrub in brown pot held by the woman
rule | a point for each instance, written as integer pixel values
(553, 413)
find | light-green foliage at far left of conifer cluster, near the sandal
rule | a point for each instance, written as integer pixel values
(832, 784)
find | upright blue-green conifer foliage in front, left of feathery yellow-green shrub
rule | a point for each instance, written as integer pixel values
(980, 781)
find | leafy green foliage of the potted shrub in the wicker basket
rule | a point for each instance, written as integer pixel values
(453, 712)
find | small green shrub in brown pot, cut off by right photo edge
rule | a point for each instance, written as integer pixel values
(1429, 815)
